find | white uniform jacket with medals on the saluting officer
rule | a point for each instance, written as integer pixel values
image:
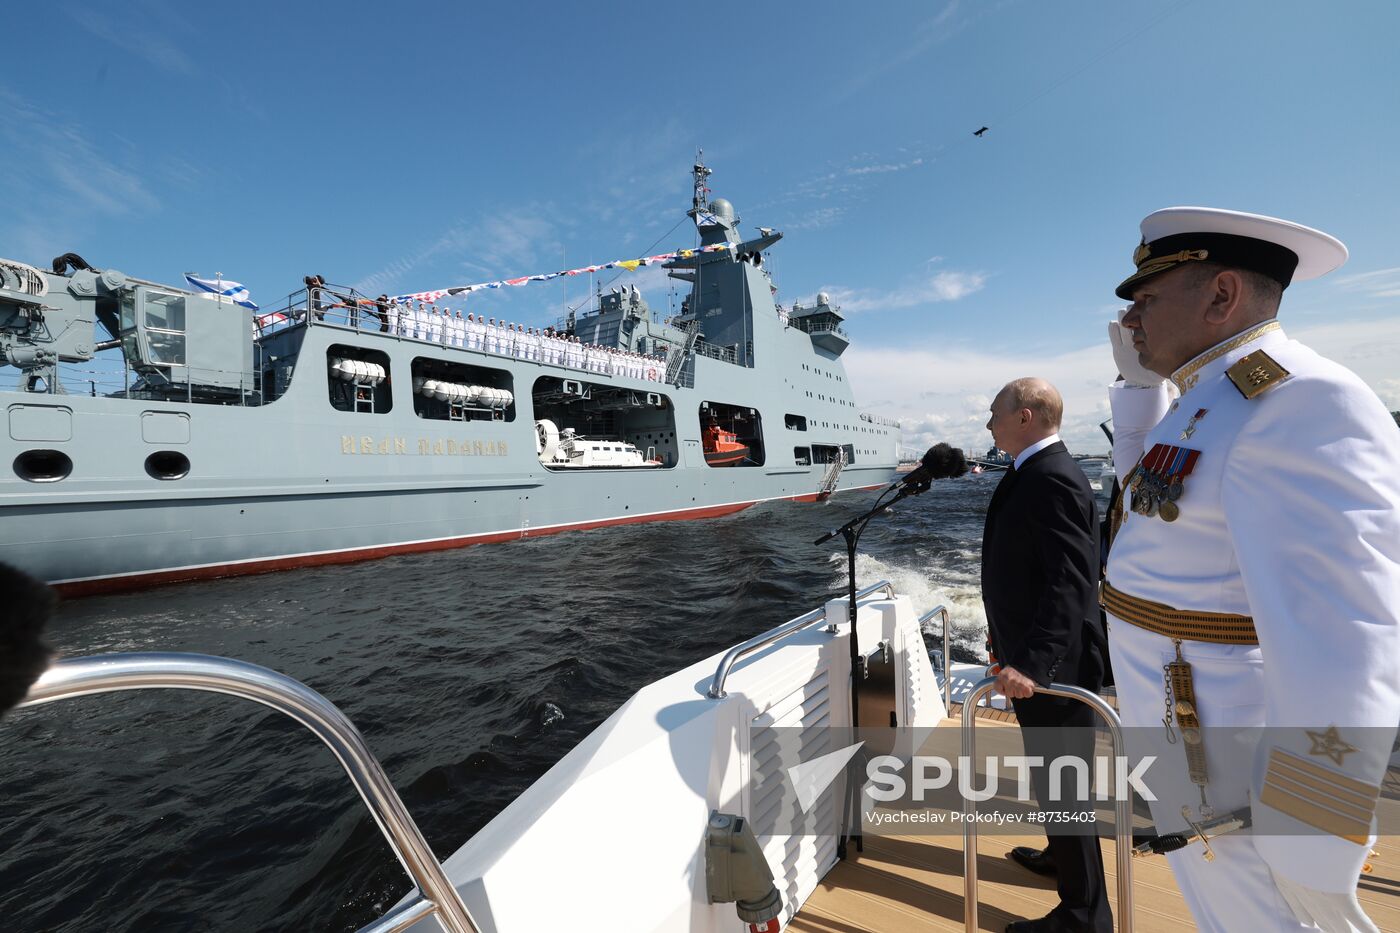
(1291, 516)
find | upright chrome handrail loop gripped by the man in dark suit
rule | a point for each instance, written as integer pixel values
(1122, 808)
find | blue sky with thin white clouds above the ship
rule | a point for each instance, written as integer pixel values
(419, 145)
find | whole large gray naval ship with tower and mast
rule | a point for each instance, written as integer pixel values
(220, 442)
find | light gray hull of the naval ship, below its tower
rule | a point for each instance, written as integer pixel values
(295, 484)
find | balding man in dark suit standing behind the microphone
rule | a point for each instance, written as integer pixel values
(1039, 585)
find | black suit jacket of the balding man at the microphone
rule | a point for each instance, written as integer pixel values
(1041, 572)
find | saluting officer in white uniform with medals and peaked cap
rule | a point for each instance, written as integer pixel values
(1255, 579)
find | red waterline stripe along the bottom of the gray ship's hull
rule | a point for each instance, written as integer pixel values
(356, 555)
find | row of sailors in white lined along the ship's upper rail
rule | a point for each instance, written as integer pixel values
(474, 333)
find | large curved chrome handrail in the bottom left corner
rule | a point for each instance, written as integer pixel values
(111, 673)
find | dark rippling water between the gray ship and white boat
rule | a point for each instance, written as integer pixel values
(470, 673)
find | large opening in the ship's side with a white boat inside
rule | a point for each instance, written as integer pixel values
(591, 427)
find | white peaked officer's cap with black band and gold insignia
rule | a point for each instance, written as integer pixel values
(1282, 250)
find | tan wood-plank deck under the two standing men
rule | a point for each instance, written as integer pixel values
(916, 883)
